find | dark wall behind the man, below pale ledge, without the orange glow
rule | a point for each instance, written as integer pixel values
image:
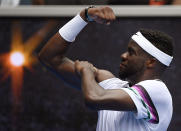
(48, 104)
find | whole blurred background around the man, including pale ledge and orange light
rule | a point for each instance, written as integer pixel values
(34, 98)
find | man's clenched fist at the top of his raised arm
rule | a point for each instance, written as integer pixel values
(102, 15)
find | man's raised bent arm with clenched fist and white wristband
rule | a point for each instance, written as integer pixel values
(53, 53)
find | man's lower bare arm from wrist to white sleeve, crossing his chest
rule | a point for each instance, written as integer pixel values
(100, 99)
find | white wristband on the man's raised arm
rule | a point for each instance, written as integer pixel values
(70, 30)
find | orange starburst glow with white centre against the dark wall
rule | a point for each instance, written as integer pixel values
(21, 56)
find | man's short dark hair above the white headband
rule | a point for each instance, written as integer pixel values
(159, 39)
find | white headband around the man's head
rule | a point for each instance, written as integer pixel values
(151, 49)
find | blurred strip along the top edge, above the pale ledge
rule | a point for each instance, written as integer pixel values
(88, 2)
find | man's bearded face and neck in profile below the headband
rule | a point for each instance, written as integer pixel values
(137, 65)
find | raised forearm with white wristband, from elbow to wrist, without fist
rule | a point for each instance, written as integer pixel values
(59, 43)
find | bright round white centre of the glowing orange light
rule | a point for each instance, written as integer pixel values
(17, 59)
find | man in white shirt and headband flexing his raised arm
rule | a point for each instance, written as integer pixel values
(142, 102)
